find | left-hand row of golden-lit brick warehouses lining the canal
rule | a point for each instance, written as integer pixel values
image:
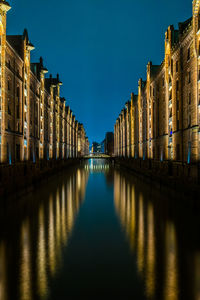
(34, 120)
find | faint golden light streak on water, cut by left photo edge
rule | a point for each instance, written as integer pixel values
(3, 294)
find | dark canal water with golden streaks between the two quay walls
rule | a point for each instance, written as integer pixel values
(96, 232)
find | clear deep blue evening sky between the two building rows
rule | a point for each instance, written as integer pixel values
(100, 48)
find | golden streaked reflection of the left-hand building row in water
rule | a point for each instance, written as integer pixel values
(40, 238)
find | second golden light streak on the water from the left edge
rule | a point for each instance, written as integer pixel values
(25, 272)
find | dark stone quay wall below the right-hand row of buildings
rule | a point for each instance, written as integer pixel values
(182, 178)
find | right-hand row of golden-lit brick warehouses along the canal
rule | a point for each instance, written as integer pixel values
(163, 121)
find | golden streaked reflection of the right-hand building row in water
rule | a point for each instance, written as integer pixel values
(163, 244)
